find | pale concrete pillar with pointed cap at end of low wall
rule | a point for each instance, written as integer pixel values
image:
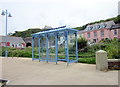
(101, 60)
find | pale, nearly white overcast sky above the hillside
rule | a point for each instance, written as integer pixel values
(38, 13)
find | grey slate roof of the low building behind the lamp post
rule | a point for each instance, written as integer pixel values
(13, 40)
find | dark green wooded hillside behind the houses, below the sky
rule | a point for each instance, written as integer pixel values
(27, 33)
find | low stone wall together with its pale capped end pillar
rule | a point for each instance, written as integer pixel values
(103, 63)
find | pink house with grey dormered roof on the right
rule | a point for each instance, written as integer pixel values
(96, 32)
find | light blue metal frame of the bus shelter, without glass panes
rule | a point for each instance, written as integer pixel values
(46, 34)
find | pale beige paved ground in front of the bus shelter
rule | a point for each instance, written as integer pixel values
(26, 72)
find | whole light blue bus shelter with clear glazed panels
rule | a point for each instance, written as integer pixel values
(55, 45)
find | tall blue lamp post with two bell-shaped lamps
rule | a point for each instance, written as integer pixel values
(7, 15)
